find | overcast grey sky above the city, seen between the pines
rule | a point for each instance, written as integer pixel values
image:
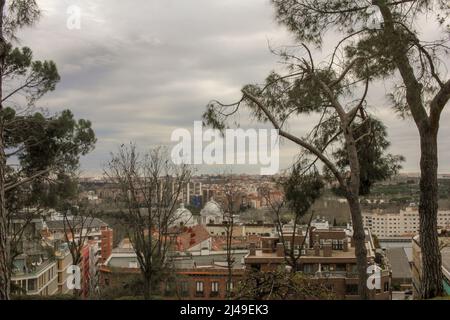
(140, 69)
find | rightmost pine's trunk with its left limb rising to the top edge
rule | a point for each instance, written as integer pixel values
(431, 282)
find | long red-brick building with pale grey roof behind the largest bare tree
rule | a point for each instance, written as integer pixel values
(198, 276)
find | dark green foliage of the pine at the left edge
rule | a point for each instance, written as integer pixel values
(42, 144)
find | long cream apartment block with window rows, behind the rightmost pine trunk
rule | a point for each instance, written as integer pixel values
(405, 222)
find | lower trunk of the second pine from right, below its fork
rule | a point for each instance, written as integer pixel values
(360, 245)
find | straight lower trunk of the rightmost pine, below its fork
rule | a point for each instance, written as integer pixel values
(431, 282)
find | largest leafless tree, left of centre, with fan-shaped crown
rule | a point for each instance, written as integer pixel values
(150, 186)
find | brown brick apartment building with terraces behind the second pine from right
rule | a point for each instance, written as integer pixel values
(328, 256)
